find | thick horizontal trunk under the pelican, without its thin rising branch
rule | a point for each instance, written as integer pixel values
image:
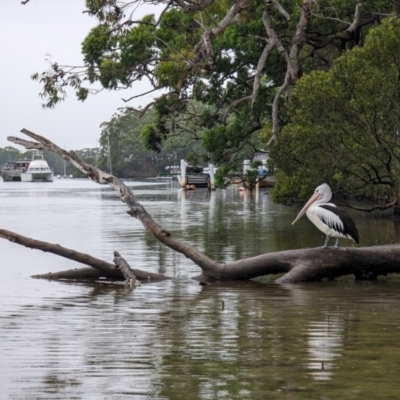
(312, 265)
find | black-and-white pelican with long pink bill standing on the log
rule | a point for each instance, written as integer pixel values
(329, 219)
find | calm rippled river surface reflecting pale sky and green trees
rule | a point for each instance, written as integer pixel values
(177, 339)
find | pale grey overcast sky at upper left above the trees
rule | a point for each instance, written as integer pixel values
(27, 35)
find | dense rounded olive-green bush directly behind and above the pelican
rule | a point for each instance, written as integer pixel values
(345, 124)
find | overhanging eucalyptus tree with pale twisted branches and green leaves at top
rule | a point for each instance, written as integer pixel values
(240, 58)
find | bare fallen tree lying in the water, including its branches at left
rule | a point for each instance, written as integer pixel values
(301, 265)
